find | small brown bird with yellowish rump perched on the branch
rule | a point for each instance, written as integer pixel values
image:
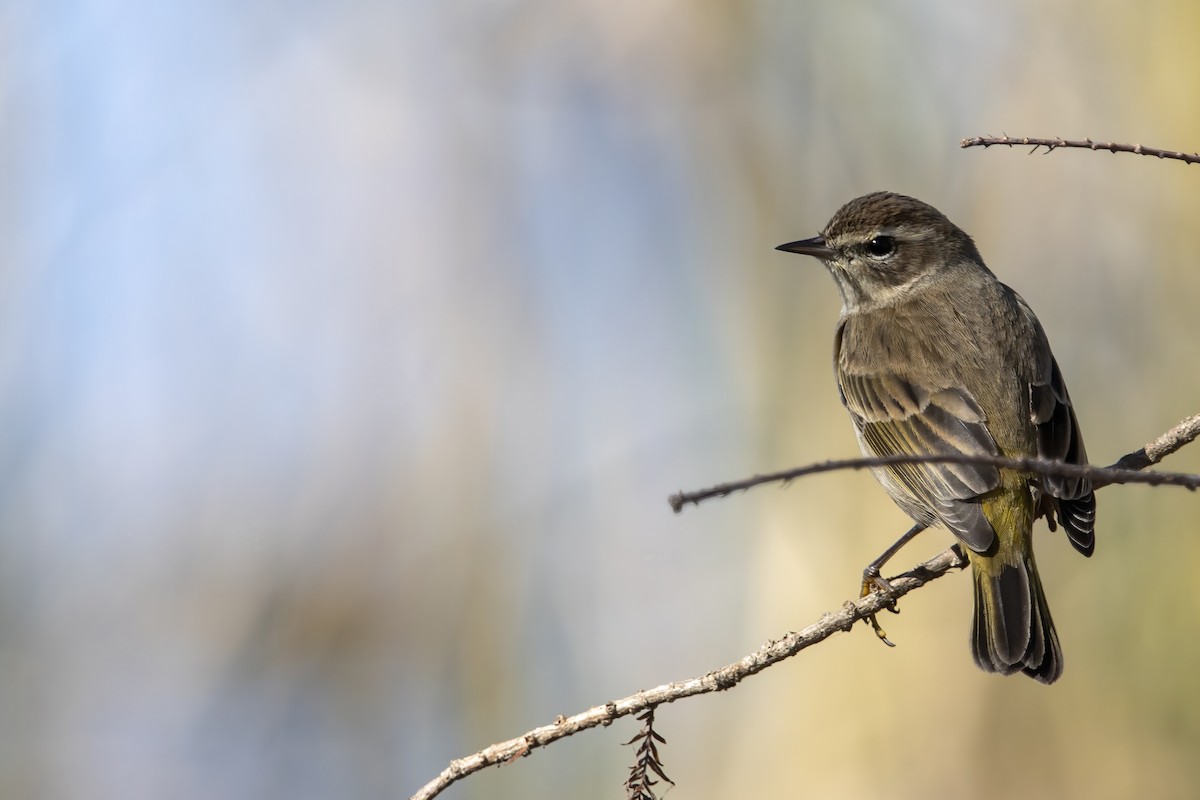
(937, 357)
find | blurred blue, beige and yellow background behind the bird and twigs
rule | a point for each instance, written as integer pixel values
(350, 352)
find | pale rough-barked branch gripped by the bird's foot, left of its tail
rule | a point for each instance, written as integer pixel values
(718, 681)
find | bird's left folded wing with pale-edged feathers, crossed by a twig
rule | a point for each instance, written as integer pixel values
(897, 417)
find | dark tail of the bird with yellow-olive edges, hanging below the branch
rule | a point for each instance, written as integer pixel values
(1013, 630)
